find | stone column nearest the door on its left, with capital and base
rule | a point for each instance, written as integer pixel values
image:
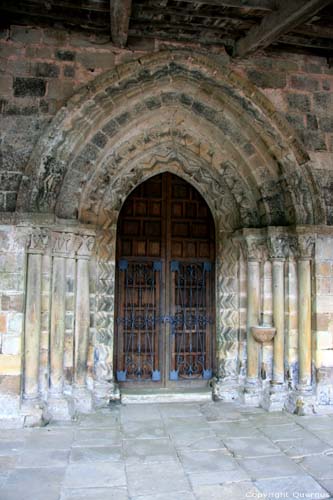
(82, 396)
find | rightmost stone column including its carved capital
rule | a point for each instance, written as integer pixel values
(305, 246)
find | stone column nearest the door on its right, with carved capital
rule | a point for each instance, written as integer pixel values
(254, 256)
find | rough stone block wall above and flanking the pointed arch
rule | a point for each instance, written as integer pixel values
(42, 68)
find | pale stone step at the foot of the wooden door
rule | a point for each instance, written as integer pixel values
(162, 395)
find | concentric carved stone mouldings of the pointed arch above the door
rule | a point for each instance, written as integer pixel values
(106, 117)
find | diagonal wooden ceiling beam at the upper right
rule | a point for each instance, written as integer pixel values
(275, 24)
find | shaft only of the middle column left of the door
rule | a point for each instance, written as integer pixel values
(58, 324)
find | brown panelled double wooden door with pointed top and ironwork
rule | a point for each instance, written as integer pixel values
(164, 328)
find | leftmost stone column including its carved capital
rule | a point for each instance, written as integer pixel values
(38, 242)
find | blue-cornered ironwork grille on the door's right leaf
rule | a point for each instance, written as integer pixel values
(191, 323)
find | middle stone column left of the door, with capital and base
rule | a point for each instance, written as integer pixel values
(63, 246)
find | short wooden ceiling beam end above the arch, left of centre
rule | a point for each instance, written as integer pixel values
(120, 12)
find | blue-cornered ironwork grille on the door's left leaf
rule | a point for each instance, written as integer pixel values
(138, 323)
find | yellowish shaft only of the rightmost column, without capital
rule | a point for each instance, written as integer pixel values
(304, 321)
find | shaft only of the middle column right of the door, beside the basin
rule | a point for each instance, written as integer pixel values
(278, 319)
